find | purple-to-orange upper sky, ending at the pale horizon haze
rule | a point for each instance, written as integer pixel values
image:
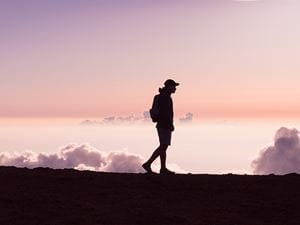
(78, 58)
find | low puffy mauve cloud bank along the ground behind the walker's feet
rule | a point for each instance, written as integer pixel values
(81, 157)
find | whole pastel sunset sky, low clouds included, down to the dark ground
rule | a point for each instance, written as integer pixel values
(66, 61)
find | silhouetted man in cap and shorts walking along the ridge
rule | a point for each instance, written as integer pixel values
(165, 126)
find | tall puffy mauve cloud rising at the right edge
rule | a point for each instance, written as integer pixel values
(281, 158)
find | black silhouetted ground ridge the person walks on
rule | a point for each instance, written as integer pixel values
(49, 197)
